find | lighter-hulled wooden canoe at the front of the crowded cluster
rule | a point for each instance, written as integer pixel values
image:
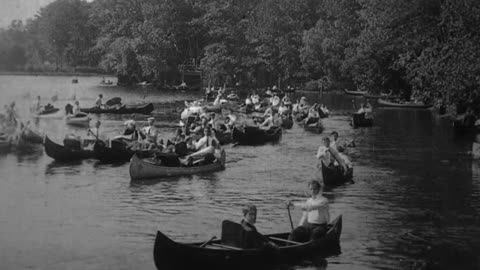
(140, 169)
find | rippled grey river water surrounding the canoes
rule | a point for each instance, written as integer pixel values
(415, 186)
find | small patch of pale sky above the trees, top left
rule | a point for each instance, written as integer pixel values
(20, 9)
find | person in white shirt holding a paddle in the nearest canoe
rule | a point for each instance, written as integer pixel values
(315, 218)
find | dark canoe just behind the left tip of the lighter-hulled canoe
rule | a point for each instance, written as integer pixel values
(117, 153)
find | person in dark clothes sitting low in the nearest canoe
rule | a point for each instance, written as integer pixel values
(257, 240)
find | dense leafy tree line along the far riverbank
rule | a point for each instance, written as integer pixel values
(431, 47)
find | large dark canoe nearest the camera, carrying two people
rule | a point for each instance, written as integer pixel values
(217, 254)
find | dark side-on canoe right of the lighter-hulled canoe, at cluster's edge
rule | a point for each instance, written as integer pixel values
(256, 136)
